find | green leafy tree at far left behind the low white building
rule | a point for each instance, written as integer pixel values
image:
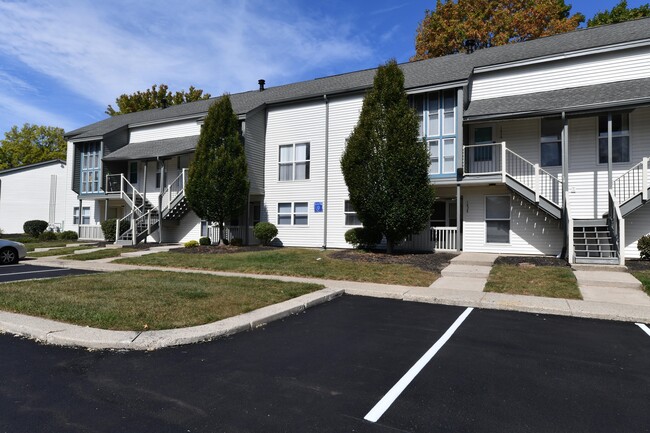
(31, 144)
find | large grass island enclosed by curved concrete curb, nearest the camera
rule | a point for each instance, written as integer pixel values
(137, 300)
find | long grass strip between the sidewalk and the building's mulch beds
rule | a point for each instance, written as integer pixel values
(292, 262)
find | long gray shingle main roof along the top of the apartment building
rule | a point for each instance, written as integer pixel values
(447, 69)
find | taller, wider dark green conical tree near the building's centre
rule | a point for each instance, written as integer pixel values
(385, 163)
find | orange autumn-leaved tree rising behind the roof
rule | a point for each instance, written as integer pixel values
(489, 23)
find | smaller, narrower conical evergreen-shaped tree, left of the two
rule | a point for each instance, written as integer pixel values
(217, 189)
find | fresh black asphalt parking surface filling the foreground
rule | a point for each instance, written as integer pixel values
(327, 368)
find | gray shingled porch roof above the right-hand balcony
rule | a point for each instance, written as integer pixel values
(578, 100)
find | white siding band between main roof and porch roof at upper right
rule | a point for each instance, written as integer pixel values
(589, 70)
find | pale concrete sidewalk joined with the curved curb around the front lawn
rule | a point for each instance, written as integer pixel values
(458, 291)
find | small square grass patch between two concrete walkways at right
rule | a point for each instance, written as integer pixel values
(547, 281)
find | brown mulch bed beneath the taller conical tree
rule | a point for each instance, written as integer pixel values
(431, 262)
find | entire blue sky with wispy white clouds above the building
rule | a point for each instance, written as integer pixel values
(62, 62)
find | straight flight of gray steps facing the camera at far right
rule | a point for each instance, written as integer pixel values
(594, 243)
